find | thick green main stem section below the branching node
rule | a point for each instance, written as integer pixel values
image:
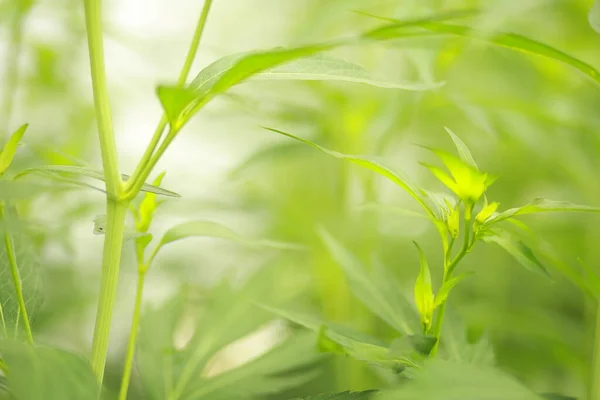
(111, 259)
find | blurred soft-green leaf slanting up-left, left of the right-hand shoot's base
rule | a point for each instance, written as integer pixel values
(378, 291)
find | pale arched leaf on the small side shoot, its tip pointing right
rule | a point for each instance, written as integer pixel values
(203, 228)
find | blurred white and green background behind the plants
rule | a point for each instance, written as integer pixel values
(533, 121)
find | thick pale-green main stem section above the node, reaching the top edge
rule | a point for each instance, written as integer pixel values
(93, 23)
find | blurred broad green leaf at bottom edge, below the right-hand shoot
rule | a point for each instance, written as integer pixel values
(445, 380)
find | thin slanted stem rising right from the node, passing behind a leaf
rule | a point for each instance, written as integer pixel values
(183, 75)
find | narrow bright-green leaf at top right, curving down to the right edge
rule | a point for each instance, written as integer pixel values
(512, 41)
